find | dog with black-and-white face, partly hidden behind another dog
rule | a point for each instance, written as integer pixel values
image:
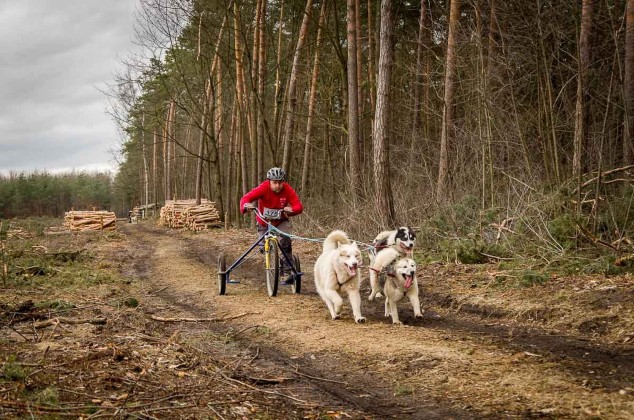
(394, 243)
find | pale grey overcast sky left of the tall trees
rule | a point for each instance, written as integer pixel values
(55, 57)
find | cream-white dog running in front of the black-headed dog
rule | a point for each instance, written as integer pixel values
(400, 281)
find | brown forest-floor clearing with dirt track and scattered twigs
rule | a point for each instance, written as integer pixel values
(160, 343)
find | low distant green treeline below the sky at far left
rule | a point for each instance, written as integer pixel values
(43, 194)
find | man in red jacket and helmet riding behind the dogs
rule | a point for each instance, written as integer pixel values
(275, 193)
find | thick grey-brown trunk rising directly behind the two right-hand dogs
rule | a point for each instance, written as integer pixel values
(384, 199)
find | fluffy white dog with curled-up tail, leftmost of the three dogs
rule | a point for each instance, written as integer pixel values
(336, 271)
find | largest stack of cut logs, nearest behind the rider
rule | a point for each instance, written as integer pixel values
(186, 214)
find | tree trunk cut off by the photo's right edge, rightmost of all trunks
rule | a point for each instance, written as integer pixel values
(628, 82)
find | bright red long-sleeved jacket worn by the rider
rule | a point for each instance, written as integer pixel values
(267, 198)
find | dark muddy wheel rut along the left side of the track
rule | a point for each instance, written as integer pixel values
(355, 400)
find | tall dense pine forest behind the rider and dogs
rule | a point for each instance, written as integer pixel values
(461, 116)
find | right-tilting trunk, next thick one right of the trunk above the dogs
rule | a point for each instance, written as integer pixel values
(447, 114)
